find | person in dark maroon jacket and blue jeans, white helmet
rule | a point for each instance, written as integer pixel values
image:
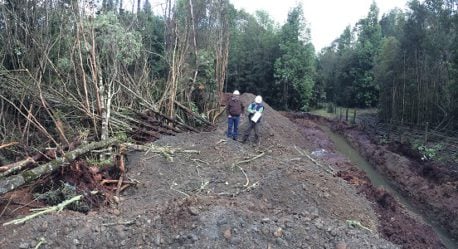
(234, 109)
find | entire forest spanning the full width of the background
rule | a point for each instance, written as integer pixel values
(76, 69)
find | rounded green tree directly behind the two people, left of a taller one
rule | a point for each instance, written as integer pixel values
(253, 51)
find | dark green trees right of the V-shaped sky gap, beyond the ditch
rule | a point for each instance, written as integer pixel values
(405, 63)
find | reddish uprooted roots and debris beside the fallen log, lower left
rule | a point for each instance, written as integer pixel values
(78, 179)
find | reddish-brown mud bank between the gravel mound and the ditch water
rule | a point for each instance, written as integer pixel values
(396, 224)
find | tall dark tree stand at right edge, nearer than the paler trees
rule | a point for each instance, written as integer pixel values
(417, 81)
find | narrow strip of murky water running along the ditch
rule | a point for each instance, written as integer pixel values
(378, 180)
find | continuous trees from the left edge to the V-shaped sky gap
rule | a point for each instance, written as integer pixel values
(78, 69)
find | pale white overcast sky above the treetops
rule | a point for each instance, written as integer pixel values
(327, 18)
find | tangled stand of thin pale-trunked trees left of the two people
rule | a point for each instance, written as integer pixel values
(73, 70)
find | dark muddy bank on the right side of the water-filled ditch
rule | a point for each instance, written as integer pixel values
(430, 186)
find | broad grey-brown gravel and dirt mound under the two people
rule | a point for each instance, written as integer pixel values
(232, 195)
